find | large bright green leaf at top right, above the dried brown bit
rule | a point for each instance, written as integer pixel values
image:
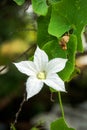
(66, 15)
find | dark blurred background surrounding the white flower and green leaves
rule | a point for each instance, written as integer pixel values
(18, 35)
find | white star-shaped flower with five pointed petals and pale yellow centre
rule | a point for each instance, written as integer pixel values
(41, 71)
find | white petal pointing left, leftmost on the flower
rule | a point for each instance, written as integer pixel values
(26, 67)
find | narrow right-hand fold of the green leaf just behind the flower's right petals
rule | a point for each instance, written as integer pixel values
(70, 65)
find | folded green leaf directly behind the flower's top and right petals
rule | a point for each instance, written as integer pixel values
(53, 50)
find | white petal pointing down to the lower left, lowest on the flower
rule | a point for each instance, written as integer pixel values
(33, 86)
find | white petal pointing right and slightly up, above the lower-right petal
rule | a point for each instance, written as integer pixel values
(55, 65)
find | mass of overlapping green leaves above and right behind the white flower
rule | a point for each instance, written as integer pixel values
(64, 16)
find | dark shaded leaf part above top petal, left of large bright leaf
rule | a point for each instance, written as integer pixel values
(42, 32)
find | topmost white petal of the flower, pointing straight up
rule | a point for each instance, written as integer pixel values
(40, 59)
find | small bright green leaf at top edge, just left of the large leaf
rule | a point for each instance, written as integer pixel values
(40, 7)
